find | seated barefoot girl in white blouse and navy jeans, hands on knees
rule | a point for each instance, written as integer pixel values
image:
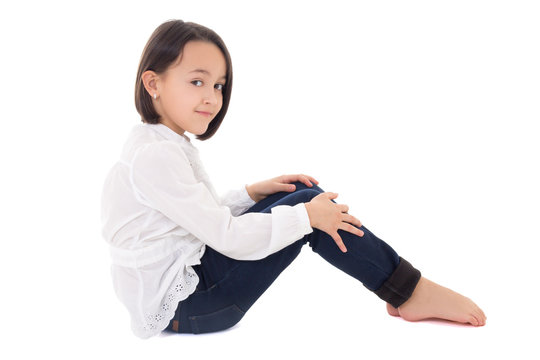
(188, 261)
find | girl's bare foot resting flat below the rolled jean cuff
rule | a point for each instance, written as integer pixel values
(430, 300)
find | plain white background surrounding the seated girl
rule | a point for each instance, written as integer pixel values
(422, 115)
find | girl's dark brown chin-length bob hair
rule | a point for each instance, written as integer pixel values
(163, 49)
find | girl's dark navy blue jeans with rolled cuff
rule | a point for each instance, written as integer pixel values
(228, 288)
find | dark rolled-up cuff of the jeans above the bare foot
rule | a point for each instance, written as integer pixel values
(399, 287)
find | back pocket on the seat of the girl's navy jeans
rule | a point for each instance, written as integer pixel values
(216, 321)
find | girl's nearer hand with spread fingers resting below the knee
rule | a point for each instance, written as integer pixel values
(330, 217)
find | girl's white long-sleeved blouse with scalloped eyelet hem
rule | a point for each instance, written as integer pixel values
(159, 210)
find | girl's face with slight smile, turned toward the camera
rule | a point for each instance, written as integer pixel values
(189, 92)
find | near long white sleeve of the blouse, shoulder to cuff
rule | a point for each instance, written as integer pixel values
(162, 177)
